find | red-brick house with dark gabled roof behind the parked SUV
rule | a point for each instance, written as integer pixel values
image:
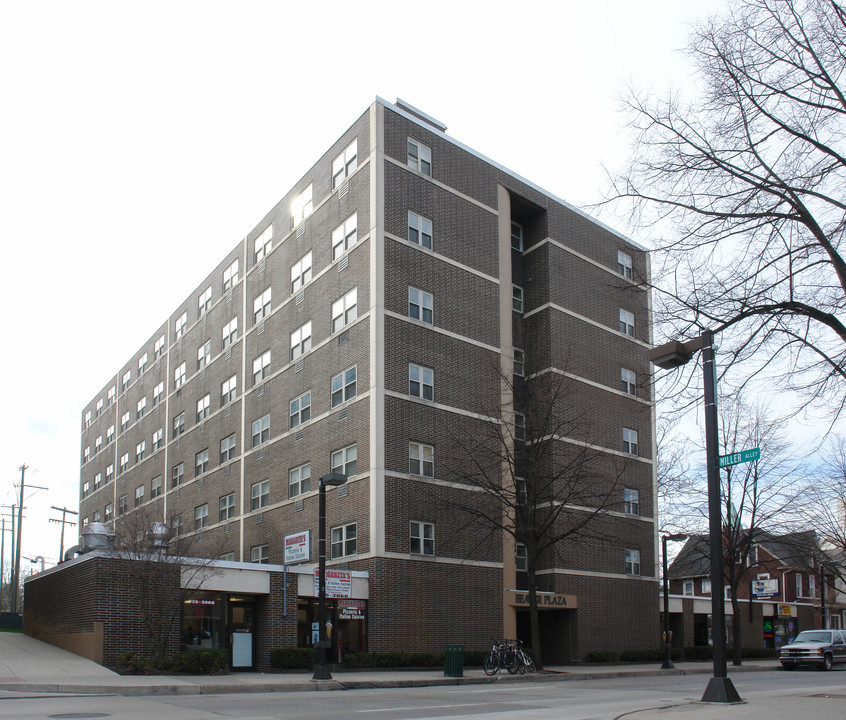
(779, 591)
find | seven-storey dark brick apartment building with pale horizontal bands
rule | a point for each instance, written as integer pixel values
(375, 309)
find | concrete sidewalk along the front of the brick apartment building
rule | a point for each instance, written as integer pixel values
(31, 666)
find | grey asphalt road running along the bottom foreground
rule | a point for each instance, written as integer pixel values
(585, 700)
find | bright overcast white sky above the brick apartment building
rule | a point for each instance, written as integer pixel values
(139, 142)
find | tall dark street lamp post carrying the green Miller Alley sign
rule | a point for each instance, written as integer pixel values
(671, 355)
